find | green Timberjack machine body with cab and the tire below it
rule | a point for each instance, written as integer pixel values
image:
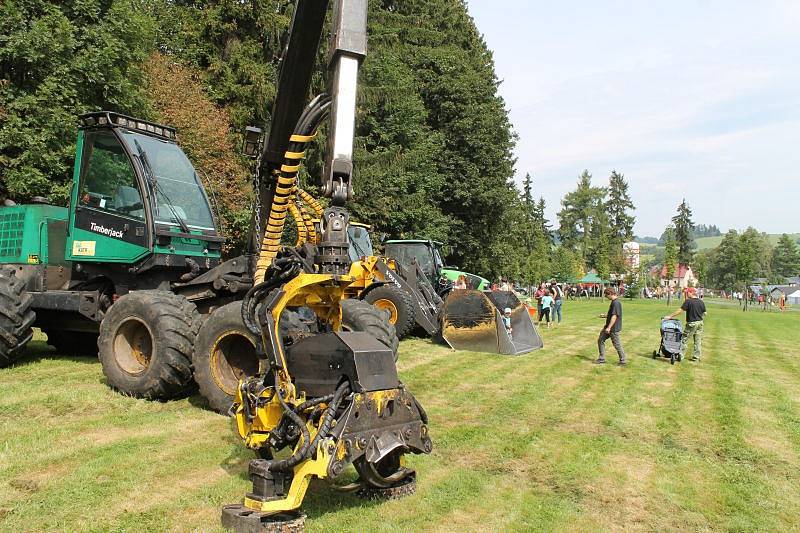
(134, 259)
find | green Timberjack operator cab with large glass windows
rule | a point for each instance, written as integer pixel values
(135, 193)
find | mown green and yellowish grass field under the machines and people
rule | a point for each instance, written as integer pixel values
(546, 441)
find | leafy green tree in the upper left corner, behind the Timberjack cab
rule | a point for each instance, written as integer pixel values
(57, 60)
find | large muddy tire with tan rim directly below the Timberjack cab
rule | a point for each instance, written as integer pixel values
(145, 344)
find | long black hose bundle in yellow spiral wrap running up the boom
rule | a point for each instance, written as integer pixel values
(304, 132)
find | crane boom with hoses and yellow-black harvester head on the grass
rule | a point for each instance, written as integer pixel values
(332, 397)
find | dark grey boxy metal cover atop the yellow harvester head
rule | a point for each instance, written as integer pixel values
(318, 363)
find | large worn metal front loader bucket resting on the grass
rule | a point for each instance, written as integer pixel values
(472, 320)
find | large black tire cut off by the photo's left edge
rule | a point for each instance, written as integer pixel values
(16, 317)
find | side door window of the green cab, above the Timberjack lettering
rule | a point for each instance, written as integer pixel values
(109, 182)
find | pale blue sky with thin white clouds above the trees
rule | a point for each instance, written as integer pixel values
(697, 99)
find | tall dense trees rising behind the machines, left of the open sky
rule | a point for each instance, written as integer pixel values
(433, 144)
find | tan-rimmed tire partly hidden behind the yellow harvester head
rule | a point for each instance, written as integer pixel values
(225, 352)
